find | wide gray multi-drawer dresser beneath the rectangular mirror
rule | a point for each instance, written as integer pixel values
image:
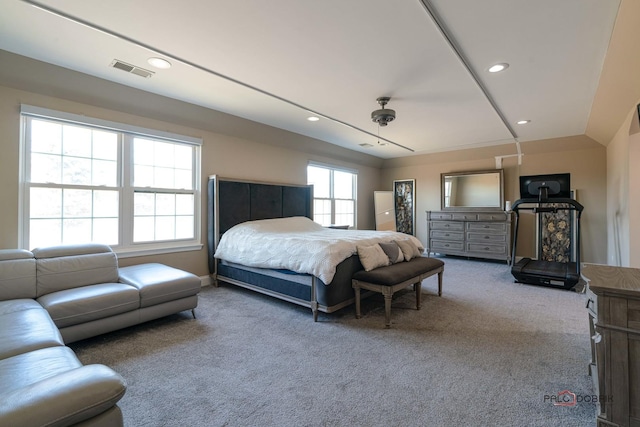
(478, 234)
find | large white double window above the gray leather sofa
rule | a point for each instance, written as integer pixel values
(87, 180)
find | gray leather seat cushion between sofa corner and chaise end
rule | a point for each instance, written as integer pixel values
(80, 305)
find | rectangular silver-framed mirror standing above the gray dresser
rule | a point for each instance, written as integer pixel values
(473, 190)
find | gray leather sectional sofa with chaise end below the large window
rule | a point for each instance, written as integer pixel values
(52, 296)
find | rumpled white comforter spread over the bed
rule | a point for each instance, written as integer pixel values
(297, 244)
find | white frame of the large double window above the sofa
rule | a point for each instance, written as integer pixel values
(125, 186)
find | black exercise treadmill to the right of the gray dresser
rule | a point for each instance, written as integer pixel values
(540, 272)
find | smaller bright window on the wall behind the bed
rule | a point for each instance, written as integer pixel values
(334, 195)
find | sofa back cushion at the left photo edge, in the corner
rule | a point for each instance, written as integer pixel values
(17, 274)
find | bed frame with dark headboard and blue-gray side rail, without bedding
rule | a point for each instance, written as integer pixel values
(232, 202)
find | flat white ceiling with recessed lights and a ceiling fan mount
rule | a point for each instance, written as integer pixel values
(278, 62)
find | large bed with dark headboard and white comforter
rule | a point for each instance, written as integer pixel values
(237, 207)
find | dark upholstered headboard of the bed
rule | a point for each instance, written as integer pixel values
(231, 202)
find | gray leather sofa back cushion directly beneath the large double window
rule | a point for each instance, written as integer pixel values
(73, 266)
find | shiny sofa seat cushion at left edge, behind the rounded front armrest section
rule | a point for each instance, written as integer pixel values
(26, 330)
